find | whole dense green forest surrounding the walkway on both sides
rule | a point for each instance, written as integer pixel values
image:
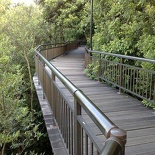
(119, 26)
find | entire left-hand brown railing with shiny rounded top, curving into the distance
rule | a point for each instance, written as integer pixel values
(76, 132)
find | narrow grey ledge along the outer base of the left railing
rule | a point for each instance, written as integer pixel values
(56, 141)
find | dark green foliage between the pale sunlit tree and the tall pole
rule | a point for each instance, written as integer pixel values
(67, 19)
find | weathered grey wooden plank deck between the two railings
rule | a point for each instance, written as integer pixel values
(125, 111)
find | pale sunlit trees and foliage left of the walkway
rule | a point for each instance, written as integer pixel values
(21, 29)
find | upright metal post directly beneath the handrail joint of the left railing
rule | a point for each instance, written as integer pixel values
(77, 129)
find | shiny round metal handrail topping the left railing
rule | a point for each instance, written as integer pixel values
(107, 127)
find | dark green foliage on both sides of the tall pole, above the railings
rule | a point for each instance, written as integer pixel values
(121, 26)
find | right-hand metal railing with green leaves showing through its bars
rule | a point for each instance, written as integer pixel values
(124, 72)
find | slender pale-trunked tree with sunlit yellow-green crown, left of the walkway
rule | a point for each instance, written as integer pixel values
(21, 27)
